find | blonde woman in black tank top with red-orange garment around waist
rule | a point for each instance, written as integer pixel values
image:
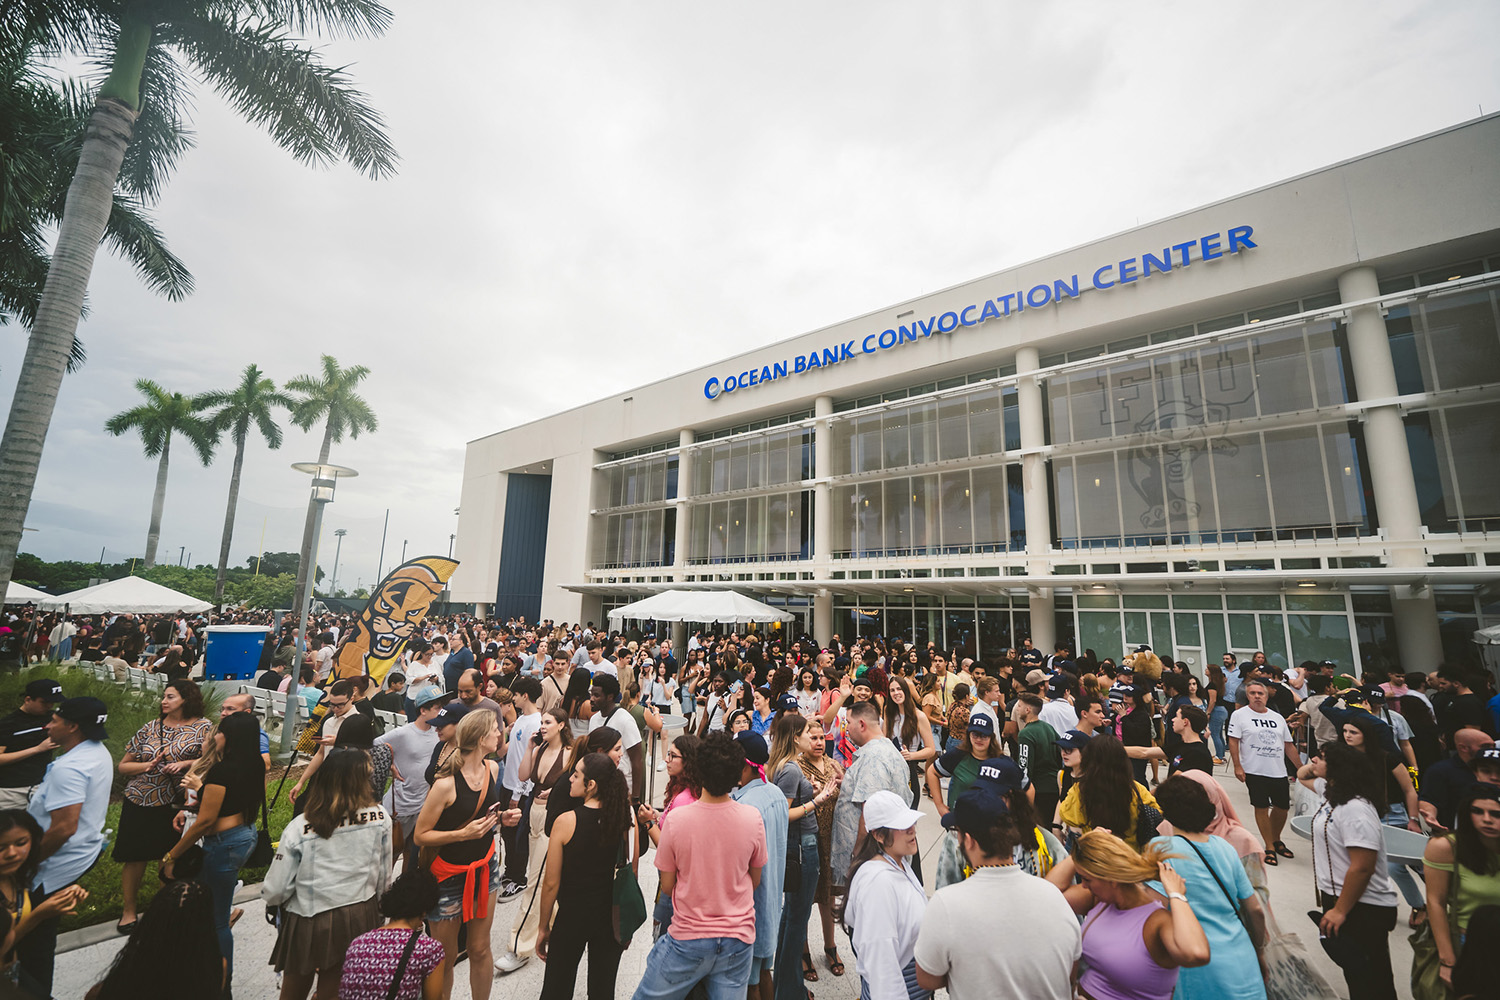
(460, 819)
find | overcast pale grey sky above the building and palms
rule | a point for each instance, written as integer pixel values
(595, 196)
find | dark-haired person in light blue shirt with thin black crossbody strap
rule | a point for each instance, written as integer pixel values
(1223, 899)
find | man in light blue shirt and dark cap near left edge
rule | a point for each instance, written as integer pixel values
(70, 806)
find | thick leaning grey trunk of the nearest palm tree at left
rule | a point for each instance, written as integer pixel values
(91, 197)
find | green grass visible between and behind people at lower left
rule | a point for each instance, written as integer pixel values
(128, 713)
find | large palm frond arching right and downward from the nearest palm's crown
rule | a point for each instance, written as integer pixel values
(311, 110)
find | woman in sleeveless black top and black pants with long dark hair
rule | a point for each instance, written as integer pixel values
(581, 861)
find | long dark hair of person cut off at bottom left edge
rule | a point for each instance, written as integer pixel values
(176, 933)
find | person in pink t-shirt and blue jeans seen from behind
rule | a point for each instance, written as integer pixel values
(710, 860)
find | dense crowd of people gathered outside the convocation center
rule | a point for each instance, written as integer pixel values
(794, 782)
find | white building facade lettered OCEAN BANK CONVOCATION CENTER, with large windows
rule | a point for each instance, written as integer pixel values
(1372, 230)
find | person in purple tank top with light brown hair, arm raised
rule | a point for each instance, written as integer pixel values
(1135, 941)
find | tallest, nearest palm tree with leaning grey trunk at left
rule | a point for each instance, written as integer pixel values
(251, 53)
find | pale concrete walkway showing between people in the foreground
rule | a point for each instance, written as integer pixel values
(1291, 897)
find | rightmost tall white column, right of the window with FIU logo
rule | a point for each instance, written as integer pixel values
(1418, 638)
